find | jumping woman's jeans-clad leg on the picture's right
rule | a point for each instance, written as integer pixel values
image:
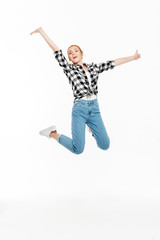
(96, 125)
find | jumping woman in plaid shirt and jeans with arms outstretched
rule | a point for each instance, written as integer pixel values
(83, 78)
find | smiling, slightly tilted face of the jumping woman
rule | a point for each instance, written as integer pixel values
(74, 54)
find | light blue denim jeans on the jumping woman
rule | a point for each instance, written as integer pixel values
(85, 112)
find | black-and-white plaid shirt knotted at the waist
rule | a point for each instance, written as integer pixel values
(78, 78)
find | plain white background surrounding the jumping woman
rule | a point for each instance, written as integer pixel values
(47, 192)
